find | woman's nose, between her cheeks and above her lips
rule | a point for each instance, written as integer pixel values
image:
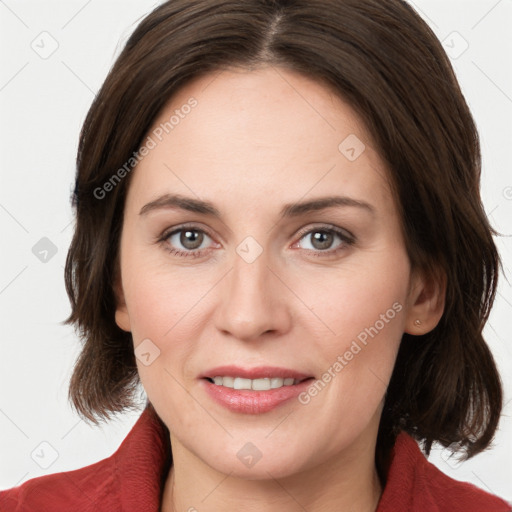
(253, 302)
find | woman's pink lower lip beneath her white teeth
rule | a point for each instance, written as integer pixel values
(253, 402)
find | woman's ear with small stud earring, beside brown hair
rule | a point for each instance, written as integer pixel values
(427, 295)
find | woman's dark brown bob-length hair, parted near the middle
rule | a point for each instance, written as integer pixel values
(384, 60)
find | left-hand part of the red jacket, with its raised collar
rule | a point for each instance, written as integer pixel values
(130, 480)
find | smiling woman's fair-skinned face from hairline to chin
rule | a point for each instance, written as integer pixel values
(295, 267)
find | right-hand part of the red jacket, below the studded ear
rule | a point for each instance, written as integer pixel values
(414, 484)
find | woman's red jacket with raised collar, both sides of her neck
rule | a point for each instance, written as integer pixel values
(131, 480)
